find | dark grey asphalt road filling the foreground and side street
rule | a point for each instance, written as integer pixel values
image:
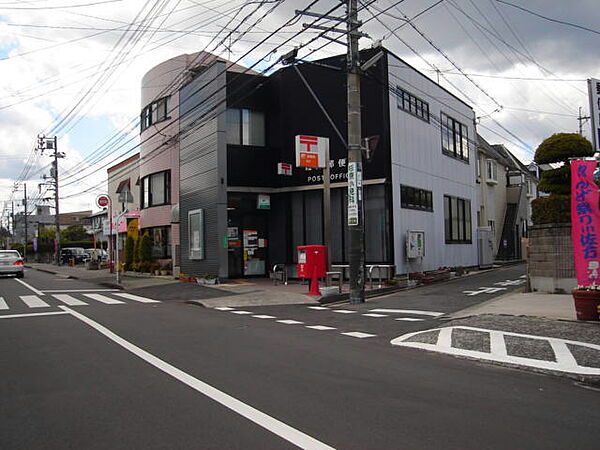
(174, 375)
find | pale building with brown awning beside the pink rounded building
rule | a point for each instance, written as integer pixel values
(123, 190)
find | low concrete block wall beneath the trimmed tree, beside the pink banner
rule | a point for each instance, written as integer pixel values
(550, 262)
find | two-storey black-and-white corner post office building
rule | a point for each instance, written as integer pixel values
(239, 216)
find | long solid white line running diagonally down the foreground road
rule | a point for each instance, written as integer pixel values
(269, 423)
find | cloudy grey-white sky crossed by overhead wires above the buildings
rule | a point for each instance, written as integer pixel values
(73, 69)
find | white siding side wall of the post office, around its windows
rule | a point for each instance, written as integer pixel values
(418, 161)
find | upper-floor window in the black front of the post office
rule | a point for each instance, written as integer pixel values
(245, 127)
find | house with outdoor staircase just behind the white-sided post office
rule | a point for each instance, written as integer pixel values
(507, 188)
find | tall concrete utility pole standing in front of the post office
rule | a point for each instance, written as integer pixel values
(356, 226)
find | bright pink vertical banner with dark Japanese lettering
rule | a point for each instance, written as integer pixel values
(585, 221)
